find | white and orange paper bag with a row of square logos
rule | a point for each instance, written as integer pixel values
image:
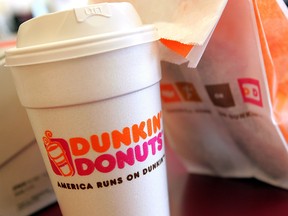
(229, 115)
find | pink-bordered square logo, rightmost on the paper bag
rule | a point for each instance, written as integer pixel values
(250, 90)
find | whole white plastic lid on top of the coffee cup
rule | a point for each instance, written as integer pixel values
(79, 32)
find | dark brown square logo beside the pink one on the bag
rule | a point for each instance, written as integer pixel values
(220, 95)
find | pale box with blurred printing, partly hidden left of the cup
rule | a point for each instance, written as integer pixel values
(24, 184)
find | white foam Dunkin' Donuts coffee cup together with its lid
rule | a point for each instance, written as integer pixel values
(89, 80)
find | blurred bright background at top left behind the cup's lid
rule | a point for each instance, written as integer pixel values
(14, 12)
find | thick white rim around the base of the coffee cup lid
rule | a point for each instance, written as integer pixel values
(80, 47)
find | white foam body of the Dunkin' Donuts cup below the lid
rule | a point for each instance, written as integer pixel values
(98, 123)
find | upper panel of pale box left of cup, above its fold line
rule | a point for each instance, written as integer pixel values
(15, 128)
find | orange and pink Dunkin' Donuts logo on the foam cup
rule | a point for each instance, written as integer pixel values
(83, 156)
